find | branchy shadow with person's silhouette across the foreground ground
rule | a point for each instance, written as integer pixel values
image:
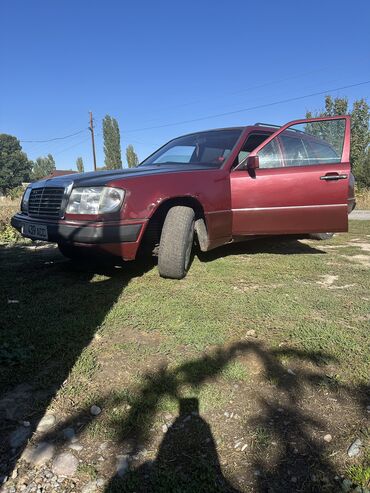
(187, 459)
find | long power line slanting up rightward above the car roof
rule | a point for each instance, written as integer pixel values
(274, 103)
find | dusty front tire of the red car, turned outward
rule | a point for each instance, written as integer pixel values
(176, 242)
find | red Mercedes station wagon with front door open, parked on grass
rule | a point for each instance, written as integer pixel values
(217, 187)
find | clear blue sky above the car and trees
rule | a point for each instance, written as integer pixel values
(150, 64)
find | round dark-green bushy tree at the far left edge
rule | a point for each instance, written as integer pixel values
(15, 167)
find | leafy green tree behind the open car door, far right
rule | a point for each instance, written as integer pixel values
(360, 134)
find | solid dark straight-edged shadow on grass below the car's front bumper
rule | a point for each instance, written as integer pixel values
(51, 311)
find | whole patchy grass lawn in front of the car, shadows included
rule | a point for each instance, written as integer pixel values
(228, 380)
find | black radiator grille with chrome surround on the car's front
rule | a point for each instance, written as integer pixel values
(45, 202)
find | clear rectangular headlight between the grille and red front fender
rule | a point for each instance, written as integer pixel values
(95, 200)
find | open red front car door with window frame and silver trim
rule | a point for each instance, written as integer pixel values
(292, 199)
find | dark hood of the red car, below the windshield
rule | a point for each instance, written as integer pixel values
(101, 178)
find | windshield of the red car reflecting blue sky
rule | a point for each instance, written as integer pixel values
(205, 148)
